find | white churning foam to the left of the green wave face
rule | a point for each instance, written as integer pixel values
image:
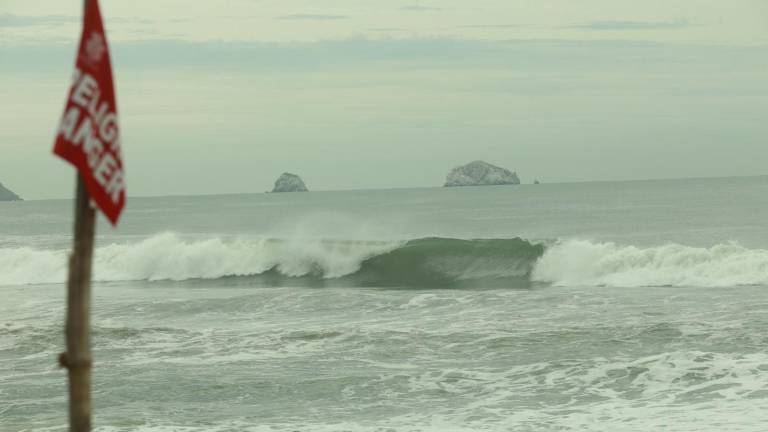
(167, 256)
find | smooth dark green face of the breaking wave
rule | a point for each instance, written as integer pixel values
(426, 263)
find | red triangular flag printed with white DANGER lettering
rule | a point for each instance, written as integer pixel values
(89, 136)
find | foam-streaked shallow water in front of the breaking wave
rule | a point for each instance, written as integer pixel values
(247, 358)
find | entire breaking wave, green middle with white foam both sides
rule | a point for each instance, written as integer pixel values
(425, 262)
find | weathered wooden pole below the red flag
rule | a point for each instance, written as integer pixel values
(77, 359)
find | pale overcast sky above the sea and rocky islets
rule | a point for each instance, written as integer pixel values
(223, 96)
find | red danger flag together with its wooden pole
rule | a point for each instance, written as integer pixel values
(90, 119)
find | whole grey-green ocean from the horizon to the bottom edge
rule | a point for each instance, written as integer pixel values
(607, 306)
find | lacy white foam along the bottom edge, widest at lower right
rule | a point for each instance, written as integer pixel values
(675, 391)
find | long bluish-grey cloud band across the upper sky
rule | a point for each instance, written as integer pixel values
(523, 57)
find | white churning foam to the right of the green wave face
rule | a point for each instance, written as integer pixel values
(585, 263)
